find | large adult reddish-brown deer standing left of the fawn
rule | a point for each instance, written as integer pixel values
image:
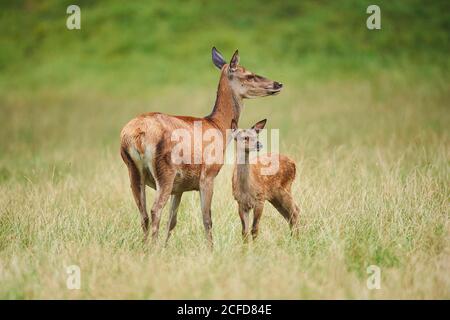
(146, 146)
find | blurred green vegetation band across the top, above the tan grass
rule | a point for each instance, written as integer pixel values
(128, 47)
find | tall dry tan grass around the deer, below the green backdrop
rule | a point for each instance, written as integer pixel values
(372, 185)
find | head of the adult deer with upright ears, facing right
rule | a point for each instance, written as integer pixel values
(243, 82)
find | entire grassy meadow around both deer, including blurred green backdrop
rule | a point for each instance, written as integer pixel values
(365, 114)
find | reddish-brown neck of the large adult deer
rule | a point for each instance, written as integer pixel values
(227, 106)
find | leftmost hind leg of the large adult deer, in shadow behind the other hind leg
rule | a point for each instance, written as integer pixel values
(137, 184)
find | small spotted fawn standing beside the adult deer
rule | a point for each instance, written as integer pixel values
(251, 188)
